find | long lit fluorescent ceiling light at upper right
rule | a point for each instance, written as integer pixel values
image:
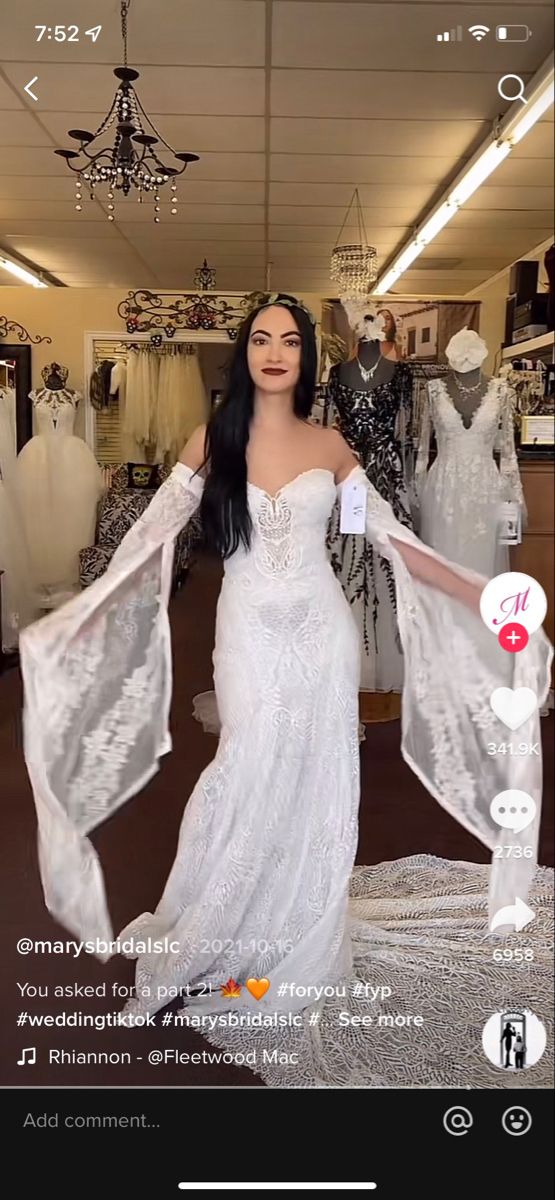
(511, 131)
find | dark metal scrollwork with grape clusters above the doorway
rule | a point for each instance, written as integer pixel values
(171, 311)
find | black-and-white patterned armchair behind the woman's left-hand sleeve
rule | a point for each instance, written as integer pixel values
(118, 511)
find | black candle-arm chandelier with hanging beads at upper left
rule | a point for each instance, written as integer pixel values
(133, 161)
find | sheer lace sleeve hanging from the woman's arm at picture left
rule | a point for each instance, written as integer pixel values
(98, 687)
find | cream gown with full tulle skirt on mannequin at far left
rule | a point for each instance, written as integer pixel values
(58, 485)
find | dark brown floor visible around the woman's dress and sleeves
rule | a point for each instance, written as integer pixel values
(138, 848)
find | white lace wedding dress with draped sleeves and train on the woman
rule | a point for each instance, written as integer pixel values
(264, 871)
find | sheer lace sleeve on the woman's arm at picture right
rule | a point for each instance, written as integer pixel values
(452, 667)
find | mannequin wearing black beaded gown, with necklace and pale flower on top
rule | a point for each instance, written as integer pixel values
(371, 394)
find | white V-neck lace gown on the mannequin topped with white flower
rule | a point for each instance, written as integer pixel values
(461, 495)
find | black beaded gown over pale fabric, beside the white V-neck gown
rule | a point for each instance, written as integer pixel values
(369, 422)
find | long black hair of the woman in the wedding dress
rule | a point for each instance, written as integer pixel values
(224, 507)
